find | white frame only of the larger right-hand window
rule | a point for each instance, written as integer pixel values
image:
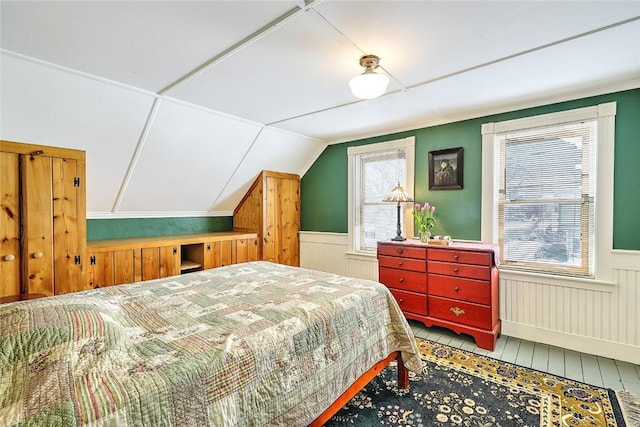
(603, 258)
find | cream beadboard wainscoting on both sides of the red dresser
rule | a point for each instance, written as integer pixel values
(601, 319)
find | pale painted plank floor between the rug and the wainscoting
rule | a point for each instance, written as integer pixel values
(587, 368)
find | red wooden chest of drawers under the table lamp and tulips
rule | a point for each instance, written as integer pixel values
(456, 287)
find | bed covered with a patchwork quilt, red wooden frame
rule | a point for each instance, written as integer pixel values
(249, 344)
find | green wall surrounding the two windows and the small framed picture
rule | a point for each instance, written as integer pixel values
(324, 186)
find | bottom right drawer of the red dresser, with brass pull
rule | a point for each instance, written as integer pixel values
(465, 313)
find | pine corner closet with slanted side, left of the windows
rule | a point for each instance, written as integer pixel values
(271, 208)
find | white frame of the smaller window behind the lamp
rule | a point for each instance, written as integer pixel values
(407, 144)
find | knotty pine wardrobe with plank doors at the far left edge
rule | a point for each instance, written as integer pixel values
(42, 220)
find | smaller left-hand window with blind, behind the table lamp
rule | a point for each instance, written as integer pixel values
(374, 170)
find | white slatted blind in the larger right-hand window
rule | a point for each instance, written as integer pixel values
(547, 197)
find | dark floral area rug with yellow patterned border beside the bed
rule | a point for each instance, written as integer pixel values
(459, 388)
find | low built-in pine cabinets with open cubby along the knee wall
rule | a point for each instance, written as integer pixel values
(120, 261)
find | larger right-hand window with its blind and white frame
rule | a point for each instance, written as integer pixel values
(547, 191)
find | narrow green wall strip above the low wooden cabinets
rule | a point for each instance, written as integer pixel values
(98, 229)
